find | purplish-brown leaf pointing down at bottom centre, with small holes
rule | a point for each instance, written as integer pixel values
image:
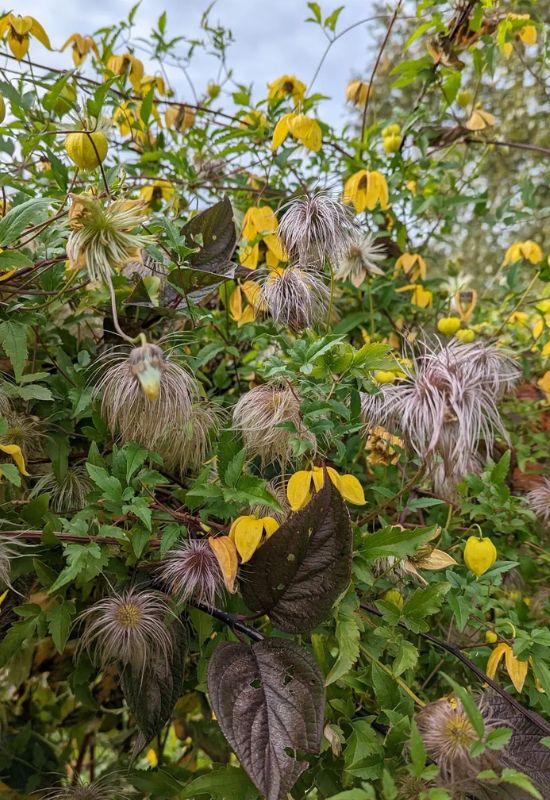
(269, 700)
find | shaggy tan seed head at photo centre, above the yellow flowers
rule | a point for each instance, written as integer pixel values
(258, 416)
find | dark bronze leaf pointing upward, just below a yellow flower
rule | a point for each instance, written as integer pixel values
(299, 573)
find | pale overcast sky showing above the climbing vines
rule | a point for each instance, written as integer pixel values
(271, 38)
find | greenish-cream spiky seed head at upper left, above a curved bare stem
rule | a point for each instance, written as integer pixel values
(103, 237)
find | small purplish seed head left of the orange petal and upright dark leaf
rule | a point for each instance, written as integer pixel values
(192, 570)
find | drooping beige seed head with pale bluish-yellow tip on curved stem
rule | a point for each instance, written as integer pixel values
(146, 397)
